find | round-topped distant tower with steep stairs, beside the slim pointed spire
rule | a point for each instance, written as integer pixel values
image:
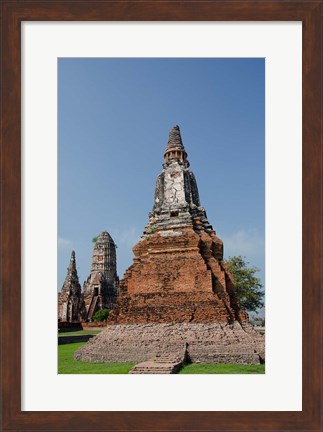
(101, 288)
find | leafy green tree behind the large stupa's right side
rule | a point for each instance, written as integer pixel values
(249, 288)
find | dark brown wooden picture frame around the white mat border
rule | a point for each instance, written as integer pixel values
(13, 13)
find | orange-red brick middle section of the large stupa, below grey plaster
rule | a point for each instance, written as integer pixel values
(177, 278)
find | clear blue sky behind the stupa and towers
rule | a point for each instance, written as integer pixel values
(114, 116)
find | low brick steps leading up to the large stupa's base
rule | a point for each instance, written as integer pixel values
(162, 363)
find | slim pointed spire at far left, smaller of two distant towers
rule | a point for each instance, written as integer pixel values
(70, 298)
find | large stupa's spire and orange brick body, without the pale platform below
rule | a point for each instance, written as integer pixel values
(178, 273)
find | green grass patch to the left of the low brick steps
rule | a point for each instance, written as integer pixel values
(67, 364)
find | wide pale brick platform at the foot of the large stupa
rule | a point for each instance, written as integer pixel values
(205, 343)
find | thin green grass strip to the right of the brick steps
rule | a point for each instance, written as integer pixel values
(197, 368)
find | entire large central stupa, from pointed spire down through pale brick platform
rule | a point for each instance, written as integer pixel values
(178, 291)
